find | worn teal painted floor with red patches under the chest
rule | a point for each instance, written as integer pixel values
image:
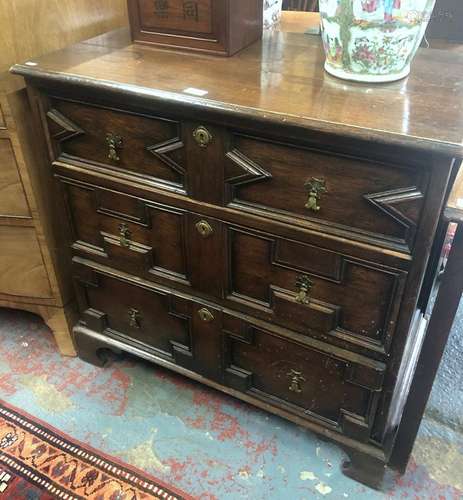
(203, 442)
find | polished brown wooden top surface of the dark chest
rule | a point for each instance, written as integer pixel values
(280, 80)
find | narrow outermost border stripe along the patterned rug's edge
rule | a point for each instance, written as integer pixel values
(76, 448)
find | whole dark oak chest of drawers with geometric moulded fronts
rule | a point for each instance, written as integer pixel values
(274, 238)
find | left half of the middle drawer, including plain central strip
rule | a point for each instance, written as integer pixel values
(144, 238)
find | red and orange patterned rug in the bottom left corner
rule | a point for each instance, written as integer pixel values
(39, 462)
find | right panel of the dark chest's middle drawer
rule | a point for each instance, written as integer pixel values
(260, 279)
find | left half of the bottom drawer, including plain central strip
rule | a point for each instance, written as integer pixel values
(167, 325)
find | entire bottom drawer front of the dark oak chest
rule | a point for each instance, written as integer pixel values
(305, 376)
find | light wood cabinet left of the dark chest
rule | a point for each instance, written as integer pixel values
(30, 271)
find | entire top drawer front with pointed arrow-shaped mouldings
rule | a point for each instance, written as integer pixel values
(348, 197)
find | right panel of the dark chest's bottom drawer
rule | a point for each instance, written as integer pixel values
(302, 377)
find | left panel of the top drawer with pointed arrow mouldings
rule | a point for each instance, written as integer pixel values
(147, 148)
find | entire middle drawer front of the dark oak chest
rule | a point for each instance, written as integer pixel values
(307, 288)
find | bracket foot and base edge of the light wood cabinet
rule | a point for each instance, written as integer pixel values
(60, 320)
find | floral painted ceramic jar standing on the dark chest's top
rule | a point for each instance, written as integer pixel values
(372, 40)
